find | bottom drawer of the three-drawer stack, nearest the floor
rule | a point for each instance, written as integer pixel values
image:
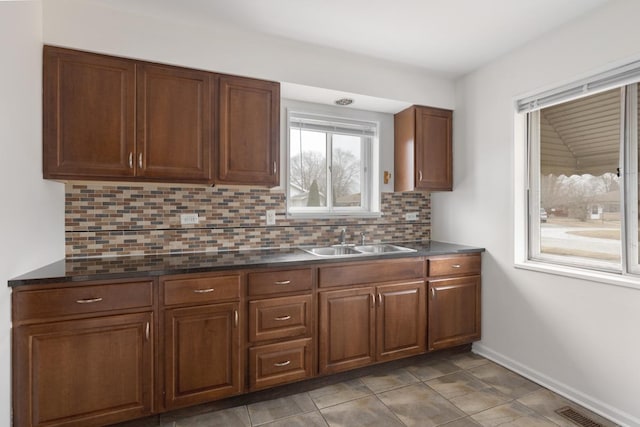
(280, 363)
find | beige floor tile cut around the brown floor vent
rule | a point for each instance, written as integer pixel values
(545, 402)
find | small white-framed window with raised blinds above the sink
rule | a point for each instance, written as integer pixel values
(331, 170)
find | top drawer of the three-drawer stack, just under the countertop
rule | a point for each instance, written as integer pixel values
(272, 282)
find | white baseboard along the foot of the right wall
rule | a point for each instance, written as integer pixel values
(595, 405)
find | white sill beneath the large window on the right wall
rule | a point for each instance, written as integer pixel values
(615, 279)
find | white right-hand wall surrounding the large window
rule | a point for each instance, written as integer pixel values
(579, 337)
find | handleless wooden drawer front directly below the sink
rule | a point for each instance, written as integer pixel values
(371, 272)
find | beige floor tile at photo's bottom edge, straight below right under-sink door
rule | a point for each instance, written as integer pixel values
(419, 405)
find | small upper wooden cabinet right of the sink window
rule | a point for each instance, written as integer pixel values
(423, 149)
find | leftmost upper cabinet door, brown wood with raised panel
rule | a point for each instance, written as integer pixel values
(88, 115)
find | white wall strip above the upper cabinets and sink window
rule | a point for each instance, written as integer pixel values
(95, 26)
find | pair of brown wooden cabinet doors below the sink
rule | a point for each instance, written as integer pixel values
(371, 324)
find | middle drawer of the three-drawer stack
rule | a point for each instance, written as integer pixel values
(275, 318)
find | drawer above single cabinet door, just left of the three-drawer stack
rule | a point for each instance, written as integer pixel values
(201, 289)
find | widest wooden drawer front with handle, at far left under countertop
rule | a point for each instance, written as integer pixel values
(46, 303)
